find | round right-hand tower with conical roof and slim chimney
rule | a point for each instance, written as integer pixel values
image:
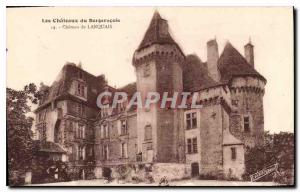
(247, 89)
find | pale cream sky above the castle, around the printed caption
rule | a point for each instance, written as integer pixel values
(36, 52)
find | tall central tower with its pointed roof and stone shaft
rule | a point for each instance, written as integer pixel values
(158, 64)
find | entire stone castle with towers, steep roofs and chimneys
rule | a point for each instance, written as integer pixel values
(208, 140)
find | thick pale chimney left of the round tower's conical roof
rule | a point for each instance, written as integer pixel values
(212, 59)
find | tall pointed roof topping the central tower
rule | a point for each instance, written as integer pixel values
(157, 32)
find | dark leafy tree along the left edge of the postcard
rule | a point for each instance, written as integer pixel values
(19, 135)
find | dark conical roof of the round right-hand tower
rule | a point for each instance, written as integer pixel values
(231, 63)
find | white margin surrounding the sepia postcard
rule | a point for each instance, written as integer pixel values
(157, 3)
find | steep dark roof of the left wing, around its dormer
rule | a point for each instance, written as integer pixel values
(60, 87)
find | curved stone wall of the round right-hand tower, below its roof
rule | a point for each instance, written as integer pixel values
(249, 95)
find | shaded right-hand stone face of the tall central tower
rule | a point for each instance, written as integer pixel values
(169, 127)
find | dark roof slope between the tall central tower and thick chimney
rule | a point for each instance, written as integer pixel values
(195, 74)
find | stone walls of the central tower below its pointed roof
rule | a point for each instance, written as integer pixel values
(165, 76)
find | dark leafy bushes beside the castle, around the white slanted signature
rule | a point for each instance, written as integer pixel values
(278, 148)
